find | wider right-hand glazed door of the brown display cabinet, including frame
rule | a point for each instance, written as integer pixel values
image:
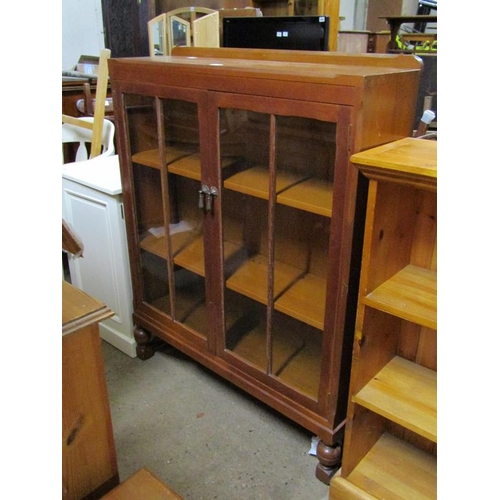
(276, 201)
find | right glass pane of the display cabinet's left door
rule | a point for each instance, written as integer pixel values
(185, 229)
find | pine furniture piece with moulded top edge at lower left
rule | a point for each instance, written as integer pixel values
(89, 467)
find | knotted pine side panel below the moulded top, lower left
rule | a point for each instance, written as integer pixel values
(88, 450)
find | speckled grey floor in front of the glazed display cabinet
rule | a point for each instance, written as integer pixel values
(203, 436)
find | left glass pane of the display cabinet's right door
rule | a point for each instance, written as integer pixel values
(245, 136)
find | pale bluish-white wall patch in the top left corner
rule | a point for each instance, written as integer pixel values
(82, 30)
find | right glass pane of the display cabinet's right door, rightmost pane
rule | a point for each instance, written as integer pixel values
(305, 153)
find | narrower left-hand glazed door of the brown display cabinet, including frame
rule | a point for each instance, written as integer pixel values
(166, 158)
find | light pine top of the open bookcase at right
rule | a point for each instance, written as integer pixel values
(406, 156)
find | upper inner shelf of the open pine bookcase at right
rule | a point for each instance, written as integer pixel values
(411, 294)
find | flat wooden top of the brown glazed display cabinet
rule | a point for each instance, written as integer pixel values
(316, 67)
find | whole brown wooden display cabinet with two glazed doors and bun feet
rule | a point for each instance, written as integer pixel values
(244, 213)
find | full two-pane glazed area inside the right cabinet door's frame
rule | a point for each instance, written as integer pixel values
(275, 307)
